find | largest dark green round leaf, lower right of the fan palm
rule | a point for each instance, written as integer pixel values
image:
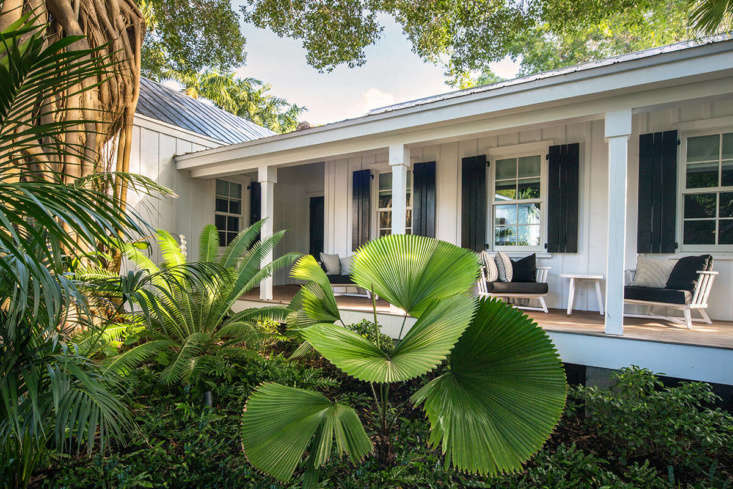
(502, 397)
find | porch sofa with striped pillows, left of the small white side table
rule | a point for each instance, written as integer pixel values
(513, 279)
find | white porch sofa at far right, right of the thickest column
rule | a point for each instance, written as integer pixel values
(683, 284)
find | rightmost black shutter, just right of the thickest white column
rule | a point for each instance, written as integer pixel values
(657, 193)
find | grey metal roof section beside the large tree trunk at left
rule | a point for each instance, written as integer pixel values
(165, 104)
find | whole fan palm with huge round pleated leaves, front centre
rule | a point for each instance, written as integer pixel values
(492, 405)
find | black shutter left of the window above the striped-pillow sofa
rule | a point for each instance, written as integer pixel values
(473, 203)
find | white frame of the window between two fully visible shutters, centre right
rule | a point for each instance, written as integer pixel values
(540, 148)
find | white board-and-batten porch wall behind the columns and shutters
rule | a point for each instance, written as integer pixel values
(593, 192)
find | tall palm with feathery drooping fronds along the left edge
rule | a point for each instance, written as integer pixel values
(49, 394)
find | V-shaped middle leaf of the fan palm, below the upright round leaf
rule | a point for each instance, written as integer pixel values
(425, 346)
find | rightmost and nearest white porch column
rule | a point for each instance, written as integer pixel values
(617, 131)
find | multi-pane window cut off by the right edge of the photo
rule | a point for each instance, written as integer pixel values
(707, 188)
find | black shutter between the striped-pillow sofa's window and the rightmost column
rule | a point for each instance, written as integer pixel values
(562, 198)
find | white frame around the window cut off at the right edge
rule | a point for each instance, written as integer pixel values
(682, 191)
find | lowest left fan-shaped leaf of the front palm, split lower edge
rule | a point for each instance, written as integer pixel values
(279, 425)
